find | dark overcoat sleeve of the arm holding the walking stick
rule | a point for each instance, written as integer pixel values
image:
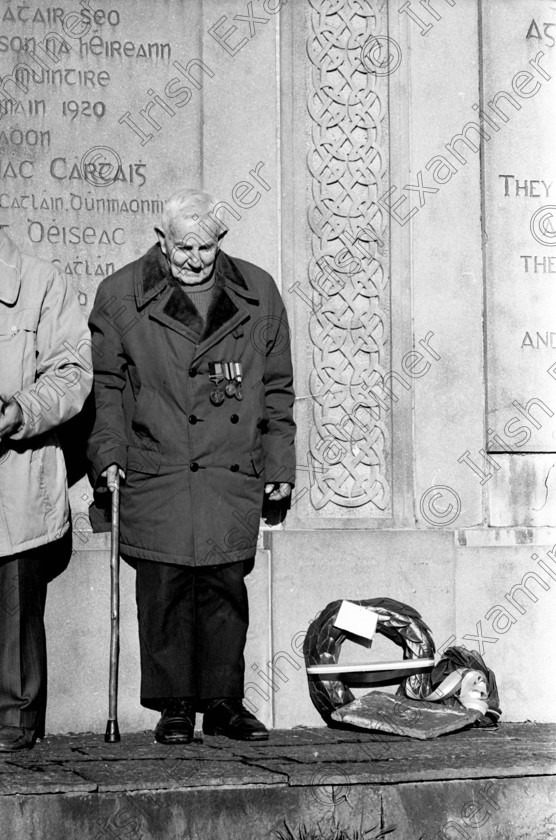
(108, 442)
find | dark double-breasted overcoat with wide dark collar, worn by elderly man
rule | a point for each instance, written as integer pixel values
(195, 472)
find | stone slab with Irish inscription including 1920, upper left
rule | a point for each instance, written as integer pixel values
(94, 131)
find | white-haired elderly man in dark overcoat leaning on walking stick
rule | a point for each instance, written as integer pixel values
(194, 401)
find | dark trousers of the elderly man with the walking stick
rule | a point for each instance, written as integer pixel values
(192, 629)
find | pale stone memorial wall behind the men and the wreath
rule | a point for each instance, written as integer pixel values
(408, 319)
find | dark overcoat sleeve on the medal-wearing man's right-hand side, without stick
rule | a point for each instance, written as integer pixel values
(279, 439)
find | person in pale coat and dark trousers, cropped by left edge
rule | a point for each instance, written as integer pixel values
(45, 376)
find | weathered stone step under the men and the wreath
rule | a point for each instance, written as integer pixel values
(474, 784)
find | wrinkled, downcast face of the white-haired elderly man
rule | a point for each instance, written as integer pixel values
(191, 251)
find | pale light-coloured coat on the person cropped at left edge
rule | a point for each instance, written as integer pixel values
(45, 364)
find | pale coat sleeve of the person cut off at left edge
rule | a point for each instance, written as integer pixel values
(63, 369)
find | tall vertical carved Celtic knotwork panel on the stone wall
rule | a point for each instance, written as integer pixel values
(348, 270)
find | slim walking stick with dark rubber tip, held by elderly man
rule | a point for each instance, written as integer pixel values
(112, 734)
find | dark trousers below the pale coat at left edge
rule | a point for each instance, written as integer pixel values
(23, 582)
